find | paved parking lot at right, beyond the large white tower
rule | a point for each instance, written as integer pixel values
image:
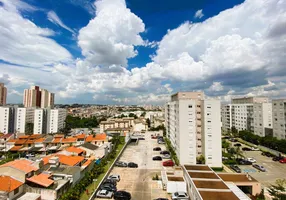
(274, 170)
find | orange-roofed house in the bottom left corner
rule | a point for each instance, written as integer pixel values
(10, 187)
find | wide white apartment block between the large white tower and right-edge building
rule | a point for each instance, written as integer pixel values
(250, 113)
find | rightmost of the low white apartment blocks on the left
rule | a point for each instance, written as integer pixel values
(56, 120)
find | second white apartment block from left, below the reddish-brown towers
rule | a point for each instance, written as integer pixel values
(24, 116)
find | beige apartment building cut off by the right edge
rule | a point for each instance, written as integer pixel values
(279, 118)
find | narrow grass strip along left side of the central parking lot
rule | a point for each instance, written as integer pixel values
(91, 187)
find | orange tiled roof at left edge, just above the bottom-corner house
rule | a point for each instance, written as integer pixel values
(23, 165)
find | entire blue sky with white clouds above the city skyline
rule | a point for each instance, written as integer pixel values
(141, 52)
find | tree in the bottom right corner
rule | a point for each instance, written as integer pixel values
(278, 190)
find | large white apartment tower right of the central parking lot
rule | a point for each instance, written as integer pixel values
(193, 127)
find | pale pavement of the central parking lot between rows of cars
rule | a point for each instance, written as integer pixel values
(138, 181)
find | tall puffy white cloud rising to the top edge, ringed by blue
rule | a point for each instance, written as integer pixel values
(110, 37)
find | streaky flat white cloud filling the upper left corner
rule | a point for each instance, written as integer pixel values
(24, 43)
